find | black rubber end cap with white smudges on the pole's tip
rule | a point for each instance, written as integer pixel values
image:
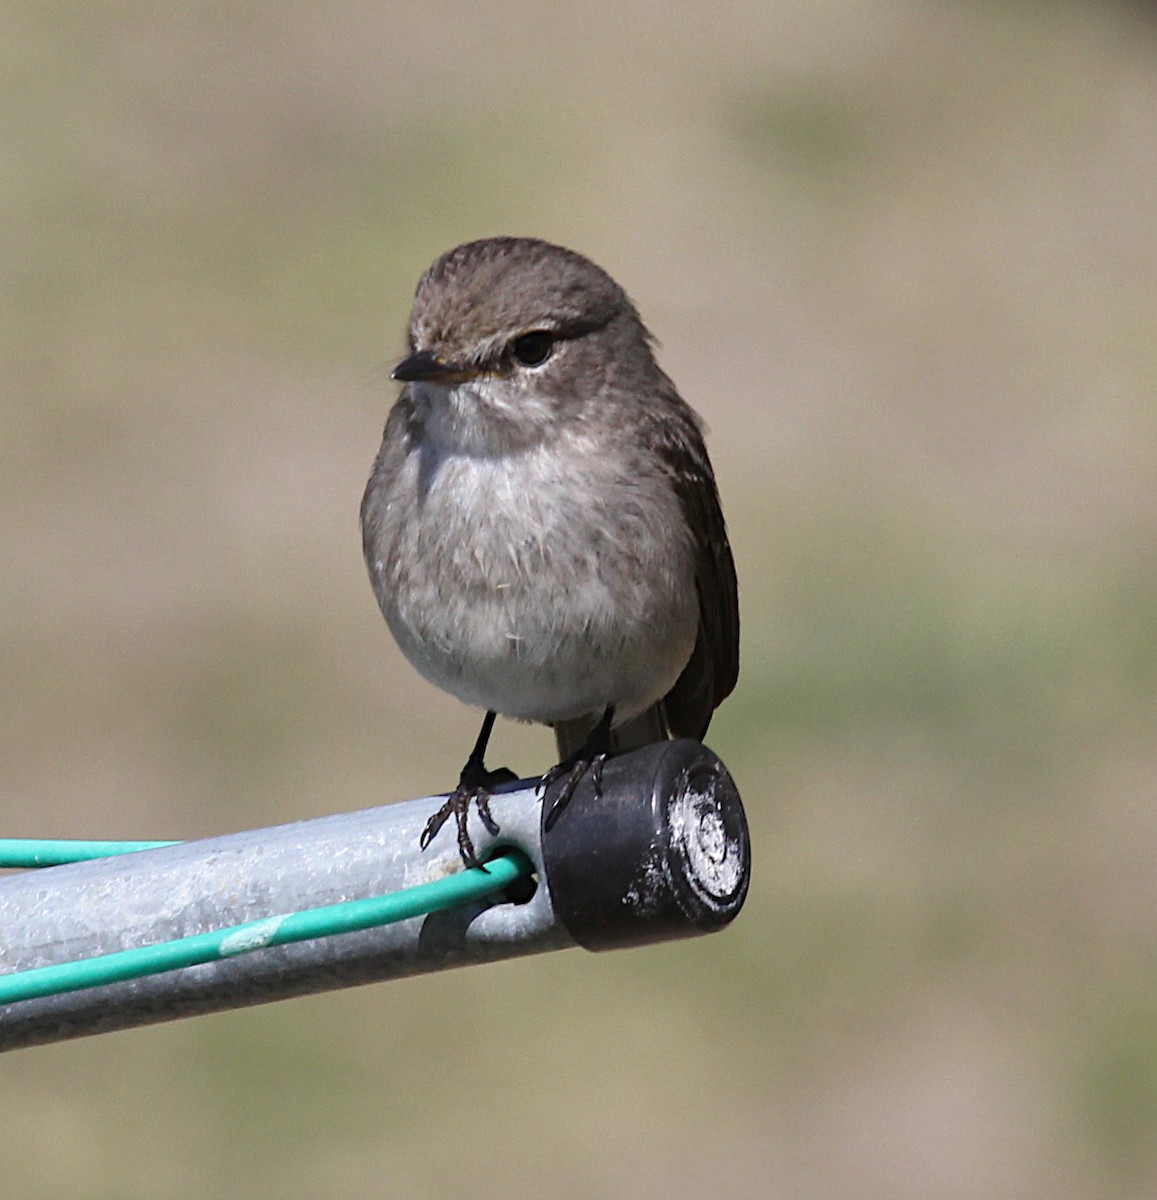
(664, 853)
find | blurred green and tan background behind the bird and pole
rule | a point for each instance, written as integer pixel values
(902, 257)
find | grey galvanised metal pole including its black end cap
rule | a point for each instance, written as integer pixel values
(662, 853)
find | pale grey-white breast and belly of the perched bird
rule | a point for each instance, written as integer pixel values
(544, 585)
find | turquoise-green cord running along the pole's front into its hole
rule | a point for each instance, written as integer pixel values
(296, 927)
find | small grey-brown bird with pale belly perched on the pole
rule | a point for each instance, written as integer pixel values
(542, 524)
